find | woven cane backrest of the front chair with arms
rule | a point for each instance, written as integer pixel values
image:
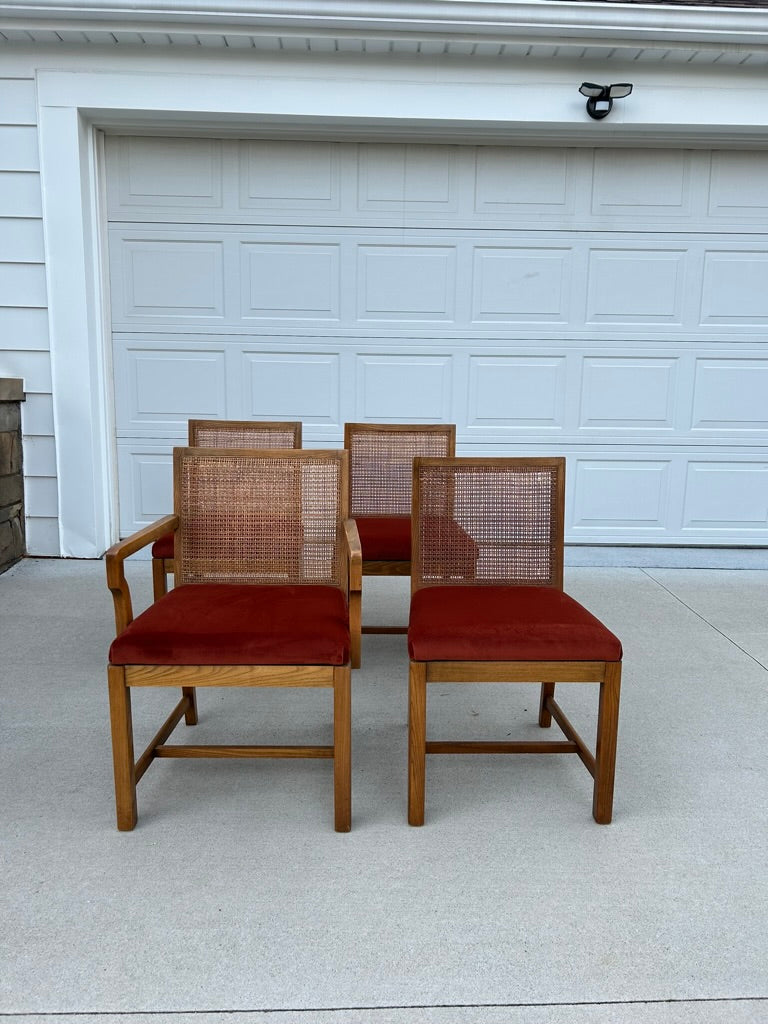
(261, 518)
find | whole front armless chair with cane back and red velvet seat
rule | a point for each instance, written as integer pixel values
(488, 606)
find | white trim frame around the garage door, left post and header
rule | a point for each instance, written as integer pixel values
(386, 101)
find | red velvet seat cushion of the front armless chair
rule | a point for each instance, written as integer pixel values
(505, 624)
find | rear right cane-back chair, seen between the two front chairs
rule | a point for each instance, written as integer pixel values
(381, 457)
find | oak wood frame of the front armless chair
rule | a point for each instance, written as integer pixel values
(602, 764)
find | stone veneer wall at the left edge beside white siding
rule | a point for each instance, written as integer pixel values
(12, 482)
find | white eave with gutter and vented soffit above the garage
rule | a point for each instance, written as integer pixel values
(538, 29)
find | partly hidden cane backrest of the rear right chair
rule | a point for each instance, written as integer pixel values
(381, 466)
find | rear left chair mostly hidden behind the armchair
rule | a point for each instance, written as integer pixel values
(223, 434)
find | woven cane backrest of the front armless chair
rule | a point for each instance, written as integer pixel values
(489, 522)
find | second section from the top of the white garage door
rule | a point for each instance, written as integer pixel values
(231, 275)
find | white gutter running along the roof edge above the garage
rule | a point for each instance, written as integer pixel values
(446, 19)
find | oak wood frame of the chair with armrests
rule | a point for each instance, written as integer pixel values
(129, 771)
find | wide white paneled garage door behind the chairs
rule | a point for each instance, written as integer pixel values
(610, 306)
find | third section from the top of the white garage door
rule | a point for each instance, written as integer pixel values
(501, 395)
